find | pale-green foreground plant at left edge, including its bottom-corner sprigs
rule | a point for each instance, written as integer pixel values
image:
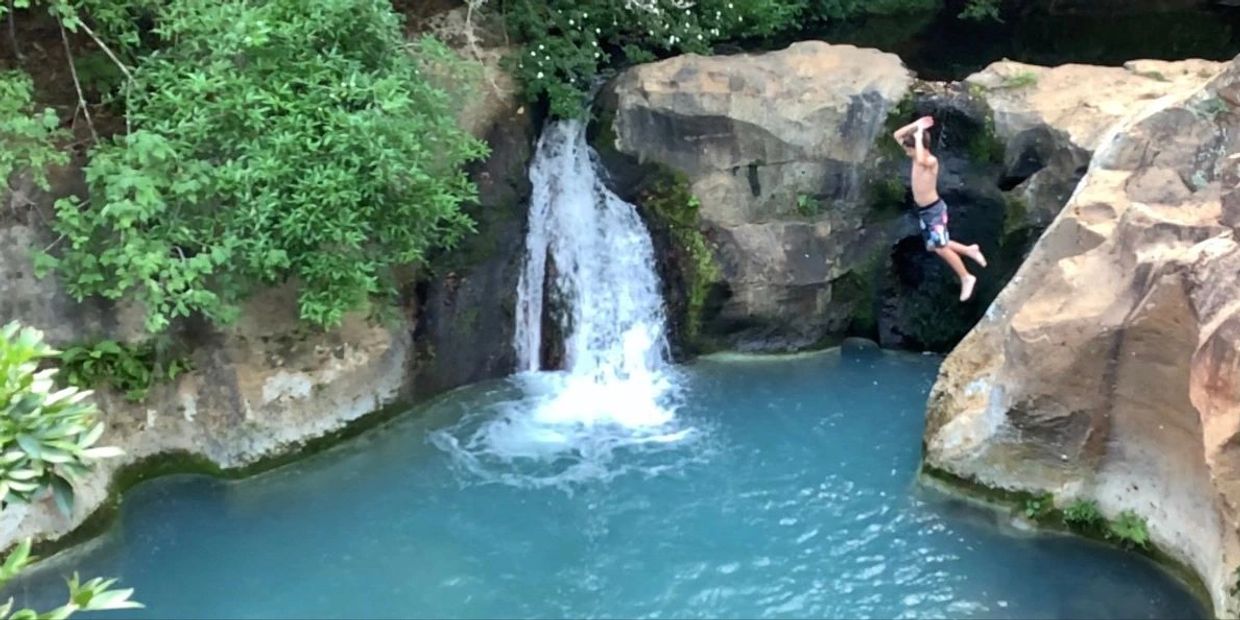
(48, 441)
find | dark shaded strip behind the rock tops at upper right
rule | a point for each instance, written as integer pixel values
(941, 46)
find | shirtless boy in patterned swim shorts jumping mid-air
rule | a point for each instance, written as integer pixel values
(932, 210)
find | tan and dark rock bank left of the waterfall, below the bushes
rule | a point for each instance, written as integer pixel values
(268, 385)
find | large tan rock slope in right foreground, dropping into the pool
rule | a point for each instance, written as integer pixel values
(1109, 368)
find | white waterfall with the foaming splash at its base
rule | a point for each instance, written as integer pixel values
(616, 396)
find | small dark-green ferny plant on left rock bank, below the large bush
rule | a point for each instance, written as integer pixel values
(131, 370)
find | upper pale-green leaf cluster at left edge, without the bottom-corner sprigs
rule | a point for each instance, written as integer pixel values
(48, 436)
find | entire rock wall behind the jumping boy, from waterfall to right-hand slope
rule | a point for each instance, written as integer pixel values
(803, 200)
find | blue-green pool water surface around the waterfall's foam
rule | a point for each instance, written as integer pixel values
(795, 497)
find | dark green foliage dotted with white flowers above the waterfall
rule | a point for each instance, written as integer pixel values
(569, 43)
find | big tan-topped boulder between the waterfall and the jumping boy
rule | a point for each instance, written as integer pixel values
(774, 147)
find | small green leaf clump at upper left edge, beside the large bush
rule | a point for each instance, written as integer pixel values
(27, 135)
